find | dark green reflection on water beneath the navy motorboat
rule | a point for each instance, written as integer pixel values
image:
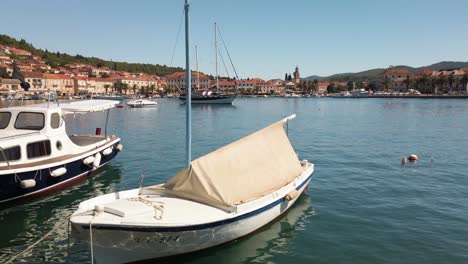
(24, 224)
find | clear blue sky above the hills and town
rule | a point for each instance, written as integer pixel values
(265, 38)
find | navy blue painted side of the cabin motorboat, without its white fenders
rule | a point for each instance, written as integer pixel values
(11, 190)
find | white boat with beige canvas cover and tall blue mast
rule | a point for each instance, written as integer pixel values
(219, 197)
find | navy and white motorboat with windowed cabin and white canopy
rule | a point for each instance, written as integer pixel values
(37, 155)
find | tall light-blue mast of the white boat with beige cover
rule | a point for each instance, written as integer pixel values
(189, 89)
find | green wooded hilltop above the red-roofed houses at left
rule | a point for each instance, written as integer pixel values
(55, 59)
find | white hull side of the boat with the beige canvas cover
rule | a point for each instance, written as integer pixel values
(117, 244)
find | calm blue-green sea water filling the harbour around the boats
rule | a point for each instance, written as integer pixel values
(362, 206)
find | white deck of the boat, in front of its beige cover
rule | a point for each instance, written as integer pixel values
(130, 209)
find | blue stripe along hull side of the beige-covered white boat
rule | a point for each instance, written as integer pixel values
(201, 226)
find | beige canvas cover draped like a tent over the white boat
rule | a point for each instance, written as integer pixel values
(239, 172)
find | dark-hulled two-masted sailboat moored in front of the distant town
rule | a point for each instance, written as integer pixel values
(209, 96)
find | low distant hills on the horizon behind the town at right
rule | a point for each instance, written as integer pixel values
(373, 73)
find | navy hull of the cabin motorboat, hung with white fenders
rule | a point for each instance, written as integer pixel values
(11, 190)
